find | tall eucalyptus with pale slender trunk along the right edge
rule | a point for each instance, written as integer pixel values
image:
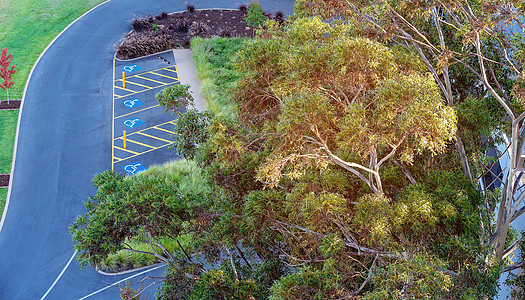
(483, 39)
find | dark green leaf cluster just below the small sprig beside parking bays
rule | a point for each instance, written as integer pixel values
(191, 131)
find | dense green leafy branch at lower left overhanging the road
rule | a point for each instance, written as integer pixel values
(148, 206)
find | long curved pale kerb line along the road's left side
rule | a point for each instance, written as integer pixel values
(9, 188)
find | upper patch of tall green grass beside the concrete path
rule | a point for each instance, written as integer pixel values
(214, 63)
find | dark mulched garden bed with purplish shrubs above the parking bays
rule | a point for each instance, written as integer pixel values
(169, 31)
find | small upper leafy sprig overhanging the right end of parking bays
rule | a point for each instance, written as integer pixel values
(176, 97)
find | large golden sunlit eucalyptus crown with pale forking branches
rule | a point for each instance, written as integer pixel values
(326, 94)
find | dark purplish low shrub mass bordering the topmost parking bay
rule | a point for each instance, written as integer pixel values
(137, 45)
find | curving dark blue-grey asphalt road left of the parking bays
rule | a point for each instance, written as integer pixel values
(64, 139)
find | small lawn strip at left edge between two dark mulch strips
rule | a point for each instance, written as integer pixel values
(8, 120)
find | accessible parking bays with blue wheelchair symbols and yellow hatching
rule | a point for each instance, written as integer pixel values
(141, 128)
